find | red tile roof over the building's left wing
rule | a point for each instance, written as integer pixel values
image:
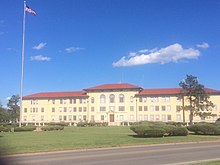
(44, 95)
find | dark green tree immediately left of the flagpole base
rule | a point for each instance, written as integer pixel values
(14, 108)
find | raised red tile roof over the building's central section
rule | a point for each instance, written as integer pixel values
(113, 86)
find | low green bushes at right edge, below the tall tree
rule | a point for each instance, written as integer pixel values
(205, 128)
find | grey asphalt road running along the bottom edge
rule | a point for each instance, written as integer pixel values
(165, 154)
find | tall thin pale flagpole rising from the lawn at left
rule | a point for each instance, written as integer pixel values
(22, 66)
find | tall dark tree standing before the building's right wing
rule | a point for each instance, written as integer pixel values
(199, 104)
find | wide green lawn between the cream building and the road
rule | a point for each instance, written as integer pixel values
(82, 137)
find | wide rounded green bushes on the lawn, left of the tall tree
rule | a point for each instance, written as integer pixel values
(158, 129)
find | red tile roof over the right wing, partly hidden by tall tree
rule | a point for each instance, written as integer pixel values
(171, 91)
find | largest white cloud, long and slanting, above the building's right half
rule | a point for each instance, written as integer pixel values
(171, 53)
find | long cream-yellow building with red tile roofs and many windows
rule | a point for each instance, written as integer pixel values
(111, 103)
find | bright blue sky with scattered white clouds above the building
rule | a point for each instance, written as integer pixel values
(75, 44)
